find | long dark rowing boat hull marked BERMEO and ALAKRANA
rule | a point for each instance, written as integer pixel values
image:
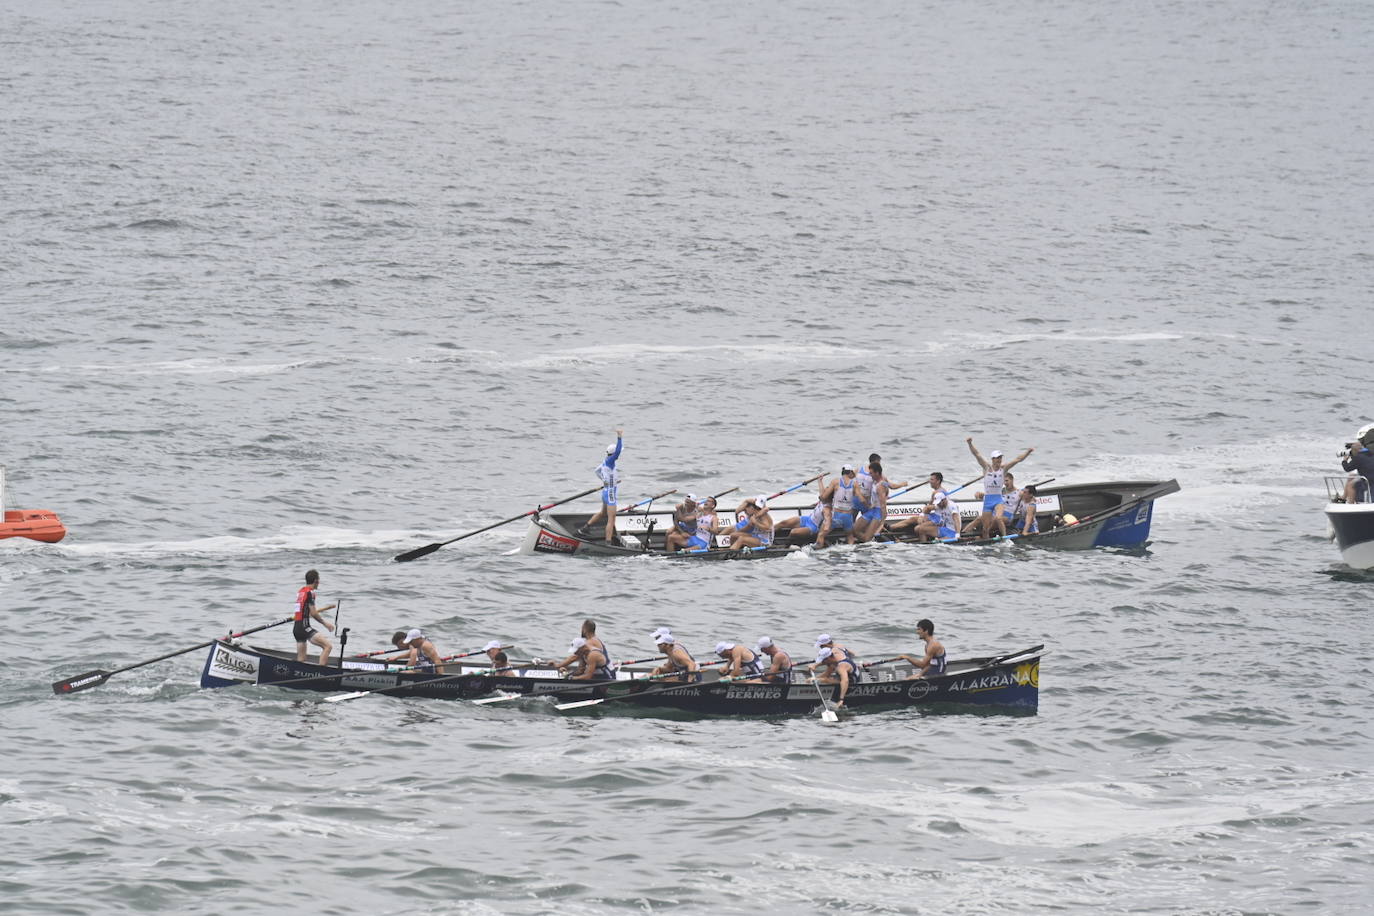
(1006, 682)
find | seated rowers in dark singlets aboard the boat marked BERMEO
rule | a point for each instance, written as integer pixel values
(766, 664)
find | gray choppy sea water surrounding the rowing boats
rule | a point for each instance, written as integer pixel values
(307, 286)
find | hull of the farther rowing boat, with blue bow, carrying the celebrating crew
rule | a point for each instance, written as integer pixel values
(1111, 516)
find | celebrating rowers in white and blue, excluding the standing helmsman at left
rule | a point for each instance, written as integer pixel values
(857, 505)
